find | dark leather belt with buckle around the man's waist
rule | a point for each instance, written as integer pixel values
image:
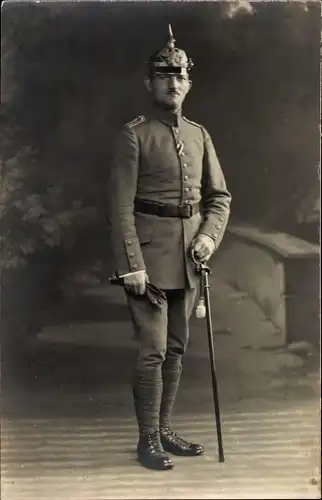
(165, 210)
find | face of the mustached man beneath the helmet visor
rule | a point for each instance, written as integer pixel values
(169, 91)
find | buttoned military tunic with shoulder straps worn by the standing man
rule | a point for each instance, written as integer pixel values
(164, 157)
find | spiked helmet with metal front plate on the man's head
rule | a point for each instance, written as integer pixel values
(170, 60)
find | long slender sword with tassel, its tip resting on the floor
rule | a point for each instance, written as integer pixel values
(204, 310)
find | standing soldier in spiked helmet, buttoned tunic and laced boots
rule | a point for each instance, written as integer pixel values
(168, 197)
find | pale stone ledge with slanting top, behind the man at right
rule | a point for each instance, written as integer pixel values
(279, 272)
